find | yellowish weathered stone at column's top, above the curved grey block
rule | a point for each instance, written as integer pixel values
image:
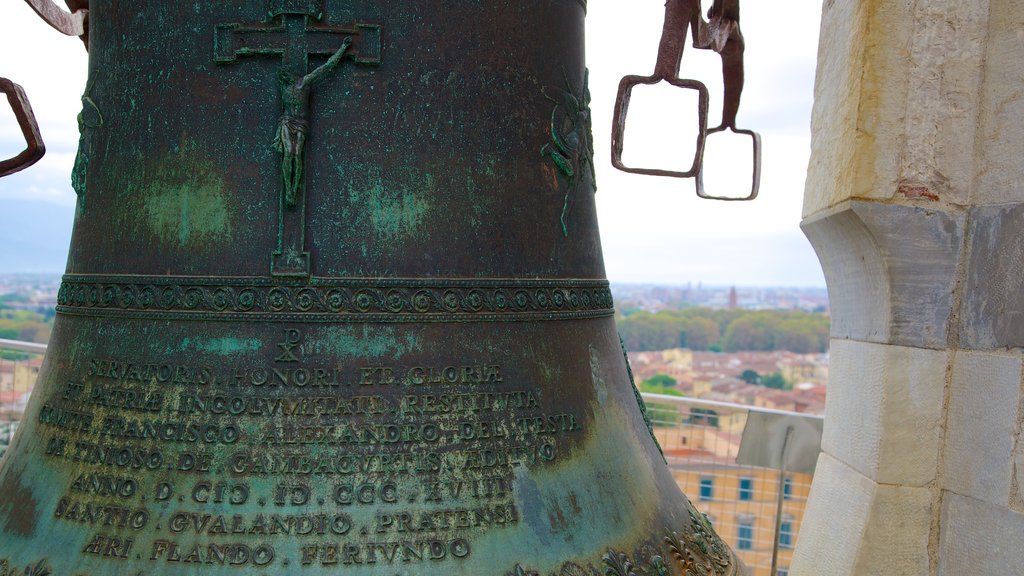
(895, 102)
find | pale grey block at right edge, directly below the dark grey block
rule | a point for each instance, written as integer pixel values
(982, 425)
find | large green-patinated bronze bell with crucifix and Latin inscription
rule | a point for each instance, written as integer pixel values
(335, 304)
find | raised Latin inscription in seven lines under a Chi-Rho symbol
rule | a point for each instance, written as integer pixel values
(371, 465)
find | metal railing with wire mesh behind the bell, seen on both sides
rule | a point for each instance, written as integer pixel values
(755, 509)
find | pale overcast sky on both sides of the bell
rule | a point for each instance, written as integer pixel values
(654, 230)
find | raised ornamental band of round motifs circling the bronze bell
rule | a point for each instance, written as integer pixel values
(324, 300)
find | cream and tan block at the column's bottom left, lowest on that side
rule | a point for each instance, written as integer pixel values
(855, 527)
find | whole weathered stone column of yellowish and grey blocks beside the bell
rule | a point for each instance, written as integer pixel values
(915, 203)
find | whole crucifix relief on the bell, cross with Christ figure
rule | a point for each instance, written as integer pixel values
(294, 32)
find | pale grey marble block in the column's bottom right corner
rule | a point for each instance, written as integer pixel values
(980, 539)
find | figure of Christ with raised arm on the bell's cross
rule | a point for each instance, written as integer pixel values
(294, 126)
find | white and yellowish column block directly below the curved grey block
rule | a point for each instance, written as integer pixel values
(884, 413)
